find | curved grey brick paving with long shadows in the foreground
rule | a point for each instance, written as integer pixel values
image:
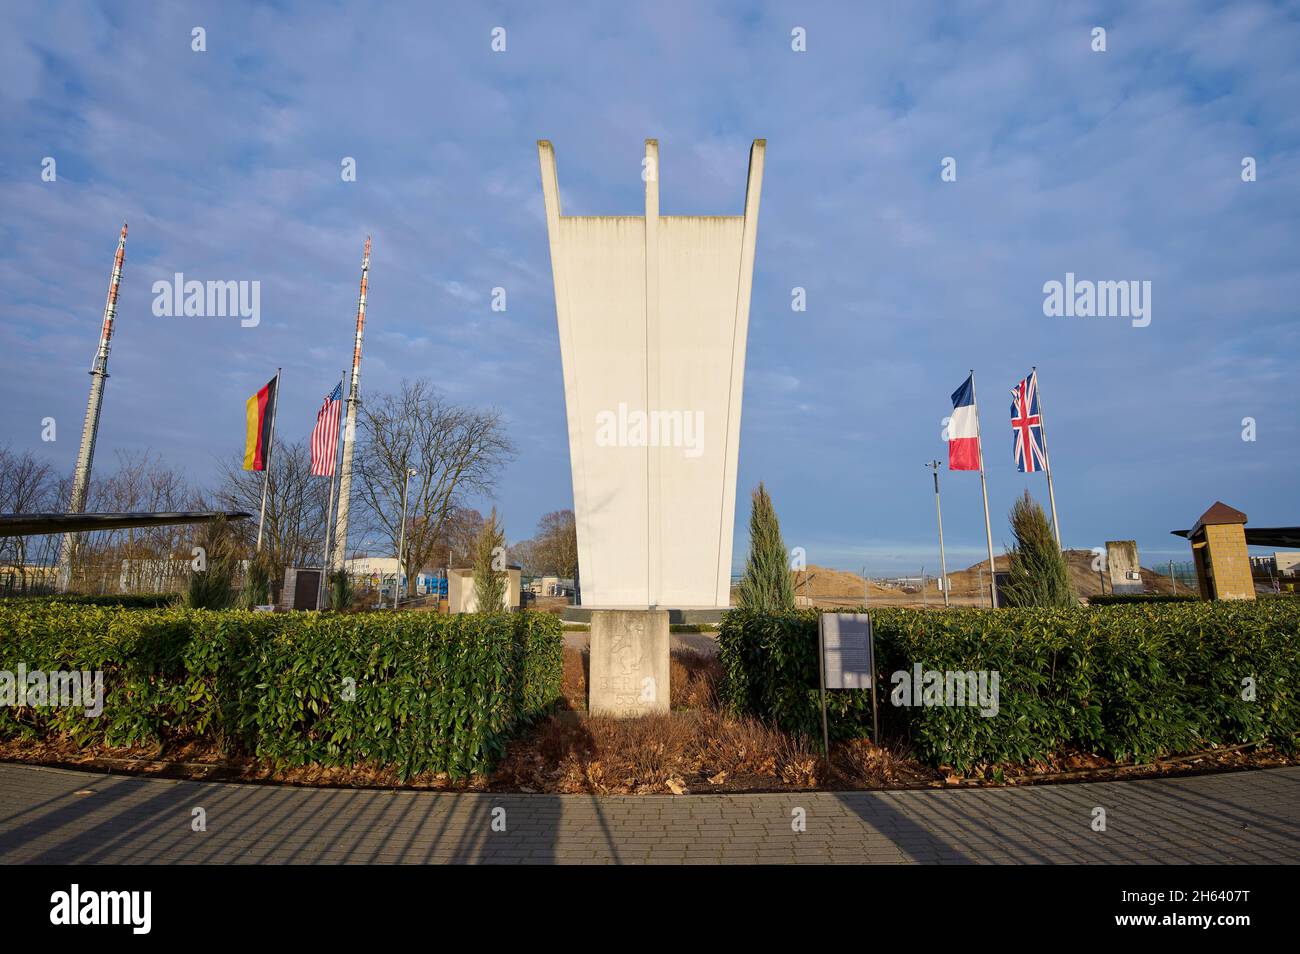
(50, 816)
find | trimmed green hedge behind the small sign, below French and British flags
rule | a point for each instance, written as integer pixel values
(1125, 682)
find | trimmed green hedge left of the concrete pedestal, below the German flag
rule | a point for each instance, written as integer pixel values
(419, 692)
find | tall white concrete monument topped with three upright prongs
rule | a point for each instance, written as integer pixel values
(653, 322)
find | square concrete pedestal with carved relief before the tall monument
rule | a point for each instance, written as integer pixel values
(630, 664)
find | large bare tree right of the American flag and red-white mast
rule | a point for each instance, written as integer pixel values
(454, 452)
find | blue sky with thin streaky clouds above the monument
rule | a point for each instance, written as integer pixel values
(1116, 166)
